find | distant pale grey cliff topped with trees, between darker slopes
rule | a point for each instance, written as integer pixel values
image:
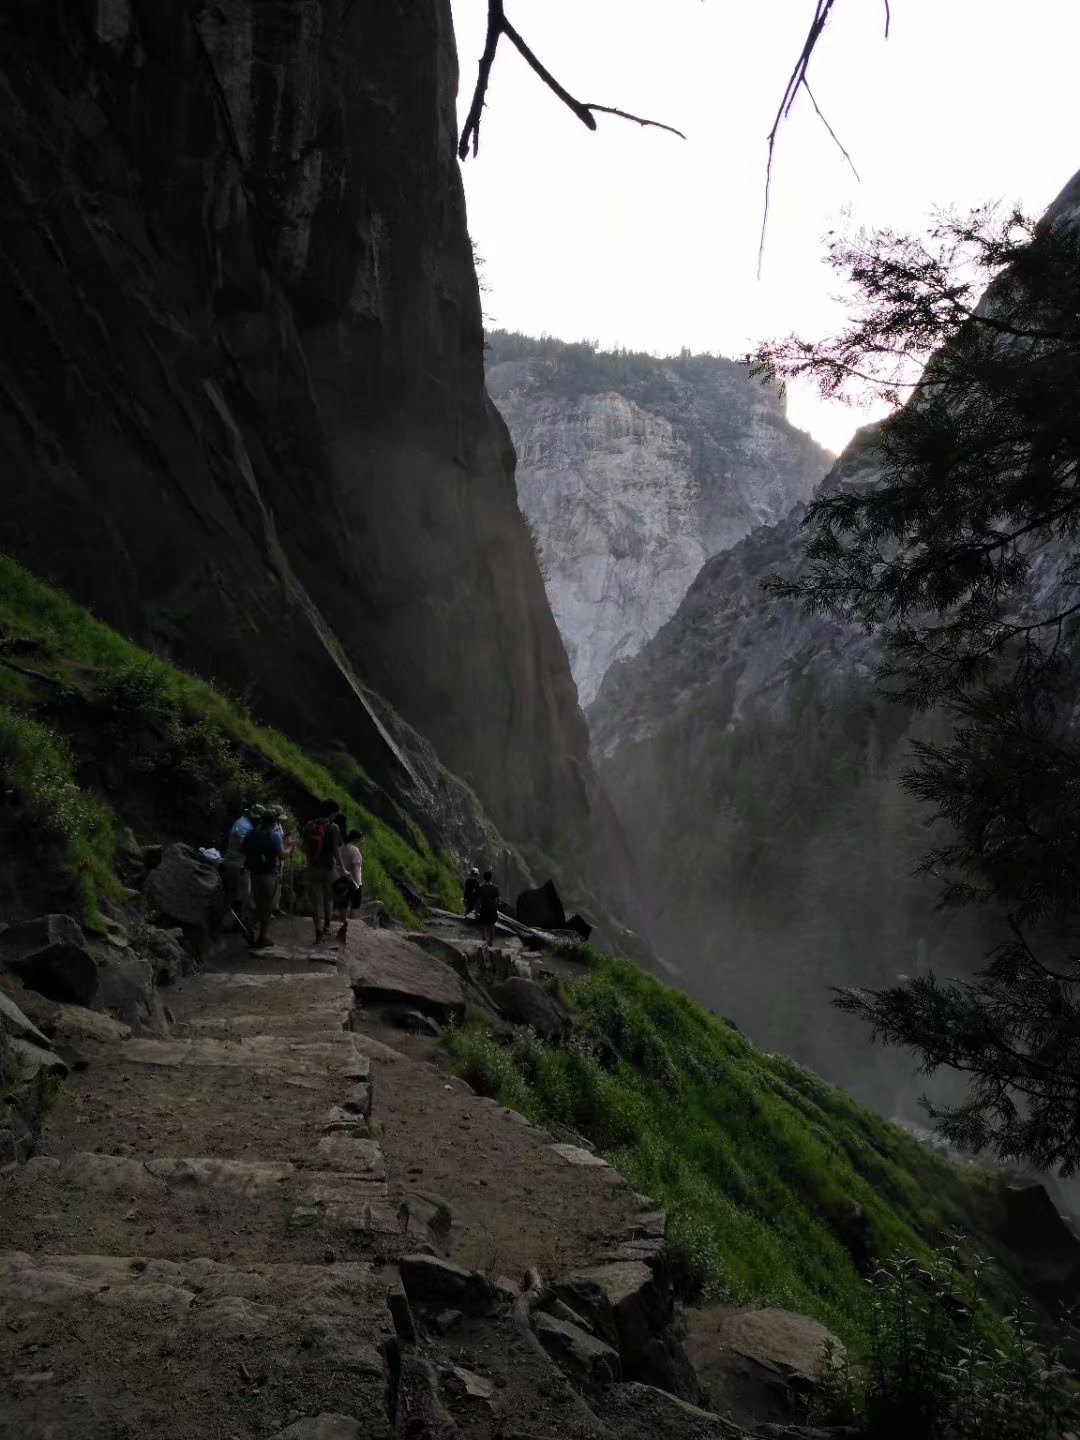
(633, 472)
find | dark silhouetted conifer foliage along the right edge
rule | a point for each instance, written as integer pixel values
(954, 534)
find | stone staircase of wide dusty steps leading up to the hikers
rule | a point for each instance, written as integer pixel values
(186, 1255)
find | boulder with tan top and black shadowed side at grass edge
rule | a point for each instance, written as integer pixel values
(627, 1305)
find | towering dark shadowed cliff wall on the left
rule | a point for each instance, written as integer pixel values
(243, 405)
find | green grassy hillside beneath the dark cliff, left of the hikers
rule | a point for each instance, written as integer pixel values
(97, 734)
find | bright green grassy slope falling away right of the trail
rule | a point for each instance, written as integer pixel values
(773, 1179)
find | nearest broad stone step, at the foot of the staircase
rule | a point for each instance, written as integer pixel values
(96, 1347)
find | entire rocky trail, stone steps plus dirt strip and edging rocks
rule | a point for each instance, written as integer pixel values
(280, 1219)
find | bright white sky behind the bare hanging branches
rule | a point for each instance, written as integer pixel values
(636, 238)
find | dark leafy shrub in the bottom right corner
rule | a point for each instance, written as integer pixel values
(931, 1373)
